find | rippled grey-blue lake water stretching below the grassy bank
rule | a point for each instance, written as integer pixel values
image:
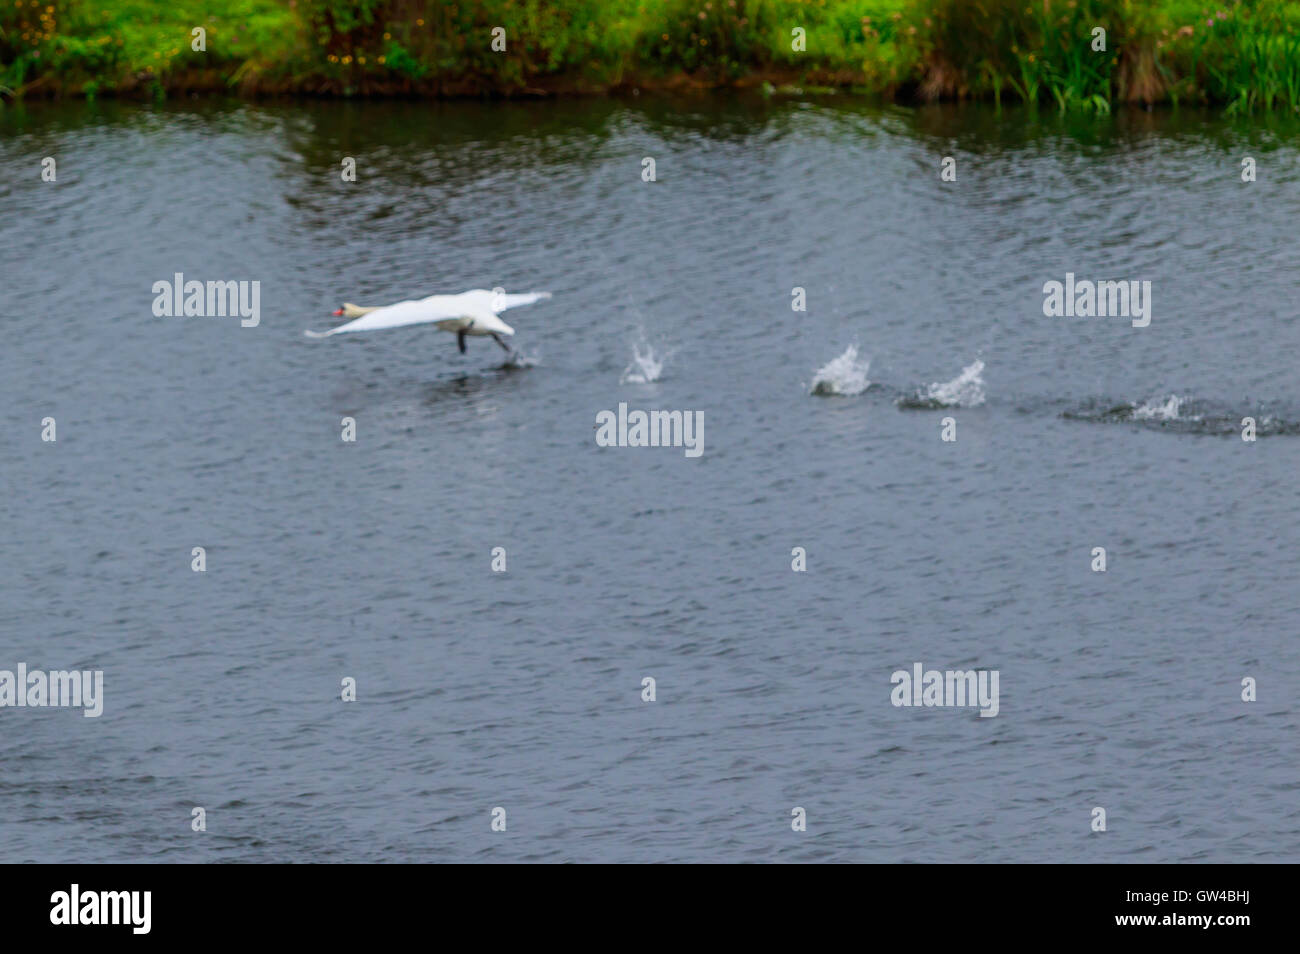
(824, 430)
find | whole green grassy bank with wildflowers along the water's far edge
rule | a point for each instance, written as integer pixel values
(1245, 55)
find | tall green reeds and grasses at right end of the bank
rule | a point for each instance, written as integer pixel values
(1242, 54)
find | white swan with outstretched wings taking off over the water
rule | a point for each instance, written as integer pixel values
(470, 313)
